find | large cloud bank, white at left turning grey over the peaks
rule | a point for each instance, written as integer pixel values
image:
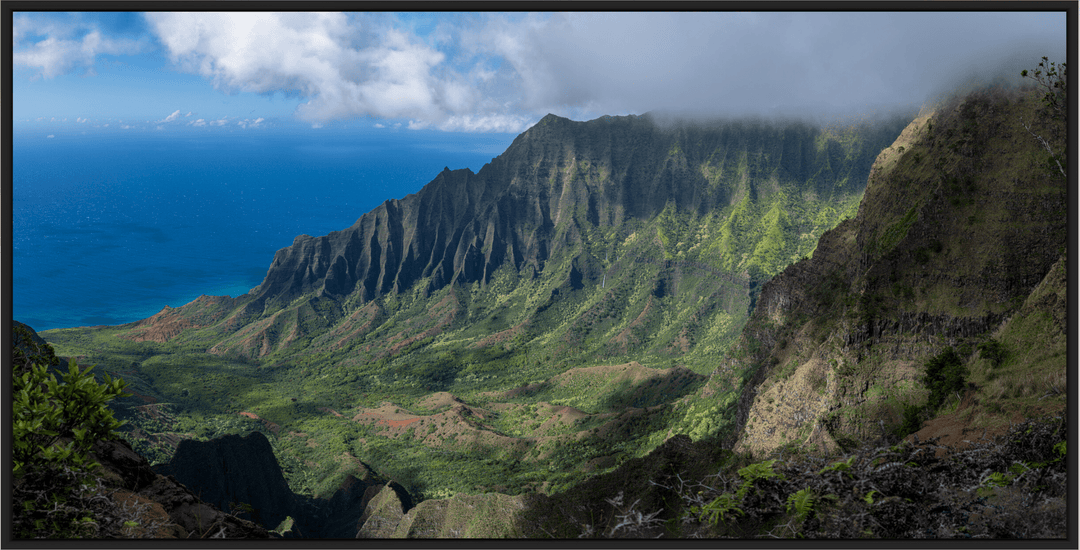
(498, 73)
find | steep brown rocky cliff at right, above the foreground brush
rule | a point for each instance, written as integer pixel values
(960, 223)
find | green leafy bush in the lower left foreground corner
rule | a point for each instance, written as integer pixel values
(55, 426)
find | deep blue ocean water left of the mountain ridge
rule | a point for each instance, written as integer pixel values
(110, 229)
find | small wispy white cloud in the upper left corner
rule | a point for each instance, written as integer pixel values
(66, 47)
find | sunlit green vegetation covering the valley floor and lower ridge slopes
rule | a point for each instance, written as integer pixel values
(670, 291)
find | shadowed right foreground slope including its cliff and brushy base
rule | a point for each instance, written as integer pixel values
(960, 245)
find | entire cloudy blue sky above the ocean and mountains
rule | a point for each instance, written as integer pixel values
(497, 72)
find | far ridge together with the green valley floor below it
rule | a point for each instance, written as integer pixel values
(593, 248)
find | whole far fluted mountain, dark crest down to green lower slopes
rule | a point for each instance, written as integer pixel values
(591, 207)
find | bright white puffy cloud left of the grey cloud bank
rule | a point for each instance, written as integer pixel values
(343, 68)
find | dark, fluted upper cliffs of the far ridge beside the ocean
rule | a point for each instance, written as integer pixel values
(463, 226)
